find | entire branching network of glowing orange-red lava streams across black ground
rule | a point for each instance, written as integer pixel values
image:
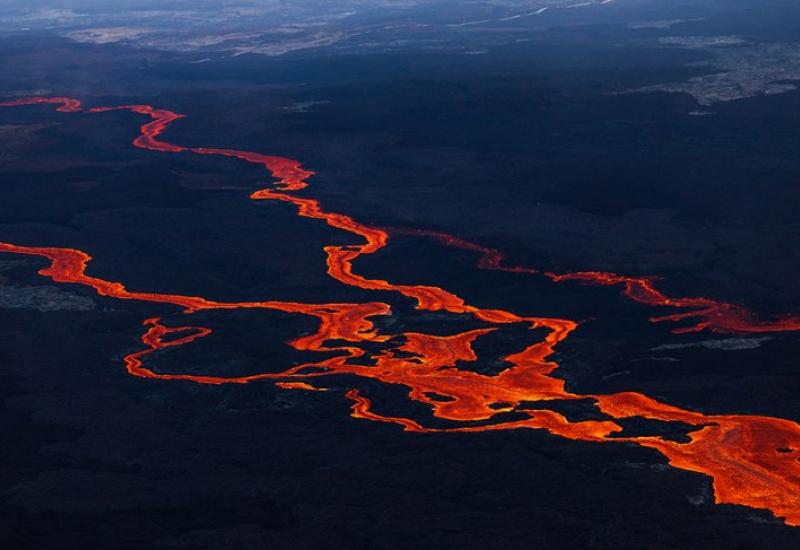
(753, 460)
